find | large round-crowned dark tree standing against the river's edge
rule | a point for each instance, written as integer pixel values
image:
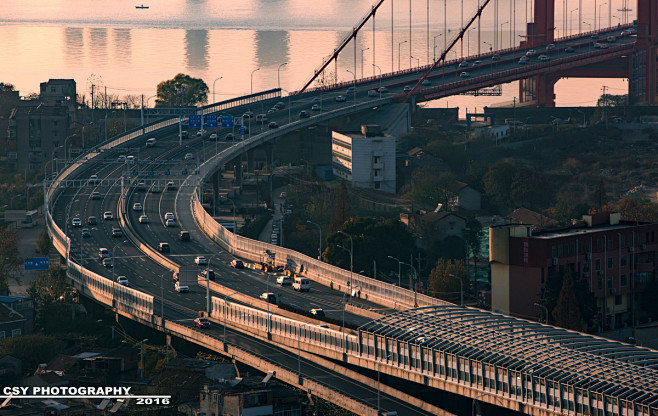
(182, 90)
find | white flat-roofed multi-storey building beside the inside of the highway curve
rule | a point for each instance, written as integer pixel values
(366, 158)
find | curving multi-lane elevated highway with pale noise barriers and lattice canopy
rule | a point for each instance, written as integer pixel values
(431, 361)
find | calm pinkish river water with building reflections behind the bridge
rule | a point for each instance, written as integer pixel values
(113, 45)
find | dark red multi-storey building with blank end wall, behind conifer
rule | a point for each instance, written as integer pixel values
(618, 259)
